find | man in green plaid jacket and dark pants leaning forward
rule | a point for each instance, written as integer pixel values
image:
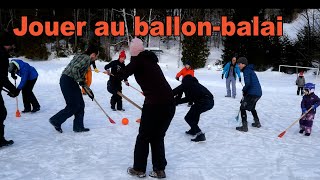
(73, 76)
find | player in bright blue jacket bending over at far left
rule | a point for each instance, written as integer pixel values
(29, 76)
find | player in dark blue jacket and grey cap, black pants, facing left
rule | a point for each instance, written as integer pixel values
(252, 92)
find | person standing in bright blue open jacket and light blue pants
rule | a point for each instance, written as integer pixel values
(230, 71)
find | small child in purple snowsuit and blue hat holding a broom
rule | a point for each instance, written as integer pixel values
(309, 100)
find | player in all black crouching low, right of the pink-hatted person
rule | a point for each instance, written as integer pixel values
(203, 101)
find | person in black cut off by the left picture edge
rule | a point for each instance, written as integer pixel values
(6, 45)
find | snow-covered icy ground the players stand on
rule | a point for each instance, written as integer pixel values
(104, 153)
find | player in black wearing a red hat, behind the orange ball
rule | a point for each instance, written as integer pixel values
(114, 83)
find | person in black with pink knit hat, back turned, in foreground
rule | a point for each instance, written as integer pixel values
(157, 112)
